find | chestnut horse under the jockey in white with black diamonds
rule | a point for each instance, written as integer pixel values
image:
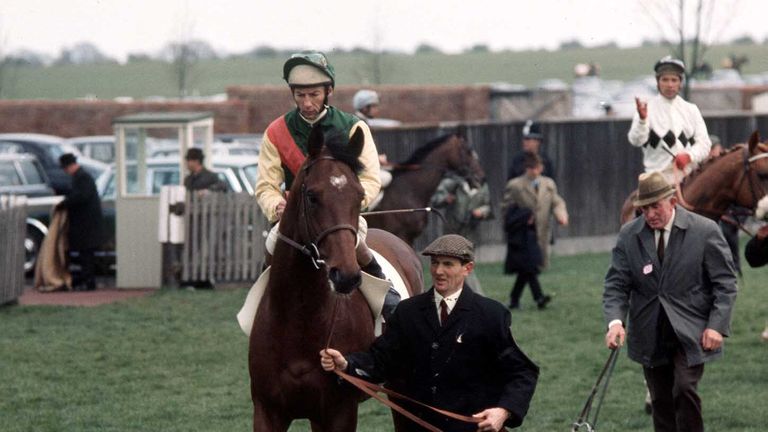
(737, 177)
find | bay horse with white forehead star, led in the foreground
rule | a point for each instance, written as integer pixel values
(312, 297)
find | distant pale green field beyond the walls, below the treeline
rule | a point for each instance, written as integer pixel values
(523, 67)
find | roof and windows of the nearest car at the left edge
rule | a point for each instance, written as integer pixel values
(22, 174)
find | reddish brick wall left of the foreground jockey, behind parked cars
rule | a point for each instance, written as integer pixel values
(75, 118)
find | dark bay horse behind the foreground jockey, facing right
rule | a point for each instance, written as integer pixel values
(415, 181)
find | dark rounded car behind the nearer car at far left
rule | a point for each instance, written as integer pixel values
(47, 149)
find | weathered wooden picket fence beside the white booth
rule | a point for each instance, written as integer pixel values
(224, 240)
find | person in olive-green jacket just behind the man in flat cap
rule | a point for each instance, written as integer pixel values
(464, 208)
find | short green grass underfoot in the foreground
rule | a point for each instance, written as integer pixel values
(176, 361)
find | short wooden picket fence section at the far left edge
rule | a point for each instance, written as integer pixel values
(13, 215)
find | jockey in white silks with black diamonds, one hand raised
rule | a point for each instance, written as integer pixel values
(668, 128)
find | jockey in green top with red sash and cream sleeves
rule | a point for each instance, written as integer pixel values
(284, 147)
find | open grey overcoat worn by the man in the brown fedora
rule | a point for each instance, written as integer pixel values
(696, 285)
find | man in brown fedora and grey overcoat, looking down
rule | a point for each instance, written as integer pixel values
(672, 278)
